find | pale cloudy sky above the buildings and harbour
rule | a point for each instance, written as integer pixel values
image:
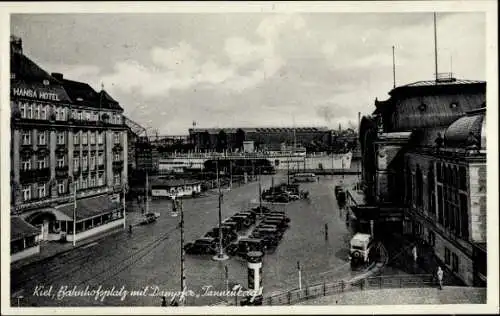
(169, 70)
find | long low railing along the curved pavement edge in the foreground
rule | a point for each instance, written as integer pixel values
(325, 289)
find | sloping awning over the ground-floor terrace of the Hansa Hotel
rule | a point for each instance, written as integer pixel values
(90, 207)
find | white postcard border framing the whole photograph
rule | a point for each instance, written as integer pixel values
(490, 9)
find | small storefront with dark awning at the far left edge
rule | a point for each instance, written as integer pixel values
(23, 239)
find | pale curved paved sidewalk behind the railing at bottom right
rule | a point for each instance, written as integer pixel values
(449, 295)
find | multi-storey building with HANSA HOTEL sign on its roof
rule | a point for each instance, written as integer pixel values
(65, 136)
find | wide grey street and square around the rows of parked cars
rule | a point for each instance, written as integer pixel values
(150, 255)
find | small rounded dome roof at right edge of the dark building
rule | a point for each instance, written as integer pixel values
(458, 134)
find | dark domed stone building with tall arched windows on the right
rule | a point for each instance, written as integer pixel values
(424, 157)
